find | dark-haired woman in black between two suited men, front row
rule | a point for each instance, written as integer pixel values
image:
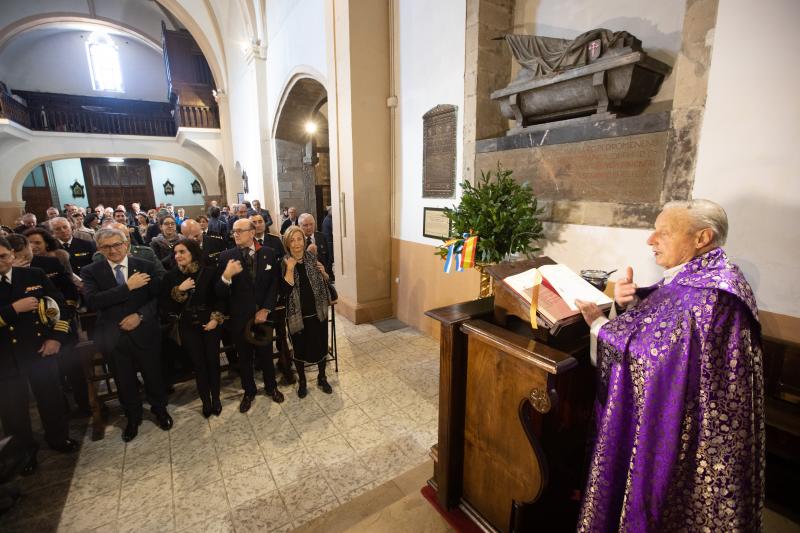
(187, 292)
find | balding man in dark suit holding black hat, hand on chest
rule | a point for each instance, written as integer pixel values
(248, 279)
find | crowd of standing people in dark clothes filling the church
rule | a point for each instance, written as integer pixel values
(160, 294)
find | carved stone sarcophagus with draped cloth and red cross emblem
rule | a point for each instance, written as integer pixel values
(598, 75)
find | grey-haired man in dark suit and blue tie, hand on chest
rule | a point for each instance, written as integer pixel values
(124, 291)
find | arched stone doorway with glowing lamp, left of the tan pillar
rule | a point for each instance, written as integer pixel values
(303, 163)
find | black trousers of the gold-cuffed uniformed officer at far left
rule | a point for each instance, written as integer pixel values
(45, 382)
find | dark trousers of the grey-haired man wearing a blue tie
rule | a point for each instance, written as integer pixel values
(125, 359)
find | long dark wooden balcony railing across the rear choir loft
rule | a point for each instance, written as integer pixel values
(86, 114)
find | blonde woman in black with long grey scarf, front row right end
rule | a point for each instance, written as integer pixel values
(307, 301)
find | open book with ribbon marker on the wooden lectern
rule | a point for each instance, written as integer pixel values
(559, 289)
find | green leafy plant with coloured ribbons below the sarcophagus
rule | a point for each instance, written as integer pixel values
(503, 213)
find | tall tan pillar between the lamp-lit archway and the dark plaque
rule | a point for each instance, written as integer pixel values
(358, 70)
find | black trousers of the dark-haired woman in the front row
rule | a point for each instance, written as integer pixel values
(203, 347)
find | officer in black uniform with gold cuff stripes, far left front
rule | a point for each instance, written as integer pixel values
(29, 341)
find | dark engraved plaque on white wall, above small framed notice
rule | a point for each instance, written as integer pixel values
(439, 152)
